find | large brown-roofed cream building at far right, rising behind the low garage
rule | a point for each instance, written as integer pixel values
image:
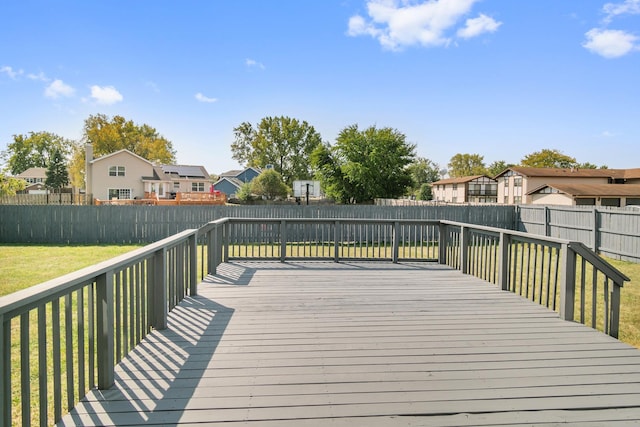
(517, 185)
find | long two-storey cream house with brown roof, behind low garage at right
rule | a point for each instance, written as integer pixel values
(519, 185)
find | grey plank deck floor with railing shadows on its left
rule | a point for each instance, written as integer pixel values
(364, 344)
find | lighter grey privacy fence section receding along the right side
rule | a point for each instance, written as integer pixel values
(613, 232)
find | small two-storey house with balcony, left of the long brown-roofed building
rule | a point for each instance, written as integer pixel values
(466, 189)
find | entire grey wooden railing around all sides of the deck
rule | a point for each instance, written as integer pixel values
(64, 337)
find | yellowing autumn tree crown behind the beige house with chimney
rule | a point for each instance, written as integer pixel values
(110, 135)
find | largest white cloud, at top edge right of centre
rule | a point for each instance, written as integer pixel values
(400, 23)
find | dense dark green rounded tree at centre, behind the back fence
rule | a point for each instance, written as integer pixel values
(364, 165)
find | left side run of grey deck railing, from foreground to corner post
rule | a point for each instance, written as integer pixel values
(64, 337)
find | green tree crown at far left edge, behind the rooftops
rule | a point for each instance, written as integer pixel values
(34, 150)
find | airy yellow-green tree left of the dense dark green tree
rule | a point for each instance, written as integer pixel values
(283, 142)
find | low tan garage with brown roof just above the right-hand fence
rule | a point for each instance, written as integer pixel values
(586, 195)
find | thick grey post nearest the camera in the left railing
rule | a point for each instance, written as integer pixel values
(105, 324)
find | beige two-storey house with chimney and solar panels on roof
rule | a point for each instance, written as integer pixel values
(124, 175)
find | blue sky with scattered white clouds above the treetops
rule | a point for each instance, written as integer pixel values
(500, 78)
